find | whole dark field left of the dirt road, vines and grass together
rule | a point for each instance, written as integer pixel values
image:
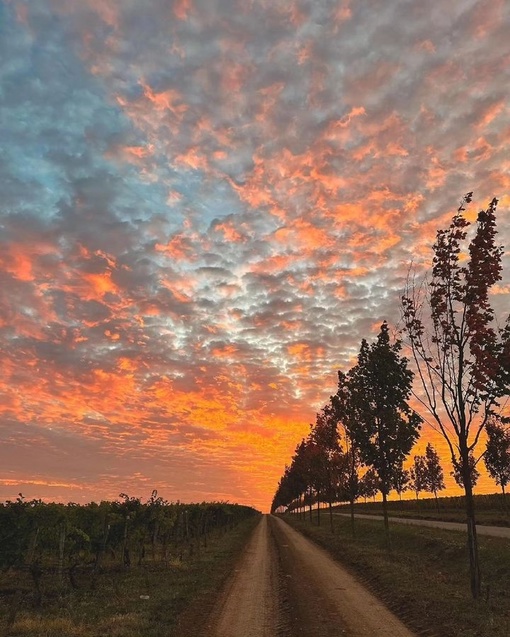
(117, 574)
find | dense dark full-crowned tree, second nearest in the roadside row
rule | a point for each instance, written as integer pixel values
(381, 422)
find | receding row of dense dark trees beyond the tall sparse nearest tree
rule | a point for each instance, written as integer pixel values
(368, 423)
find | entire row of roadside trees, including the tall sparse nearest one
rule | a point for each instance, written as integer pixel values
(461, 357)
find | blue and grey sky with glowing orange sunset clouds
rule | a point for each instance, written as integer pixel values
(205, 206)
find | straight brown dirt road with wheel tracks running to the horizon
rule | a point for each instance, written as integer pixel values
(286, 586)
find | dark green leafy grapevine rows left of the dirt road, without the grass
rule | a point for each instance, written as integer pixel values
(31, 532)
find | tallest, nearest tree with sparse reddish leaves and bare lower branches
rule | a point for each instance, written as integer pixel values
(462, 358)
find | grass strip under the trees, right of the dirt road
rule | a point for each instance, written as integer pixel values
(424, 578)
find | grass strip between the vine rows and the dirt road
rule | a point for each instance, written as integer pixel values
(154, 600)
